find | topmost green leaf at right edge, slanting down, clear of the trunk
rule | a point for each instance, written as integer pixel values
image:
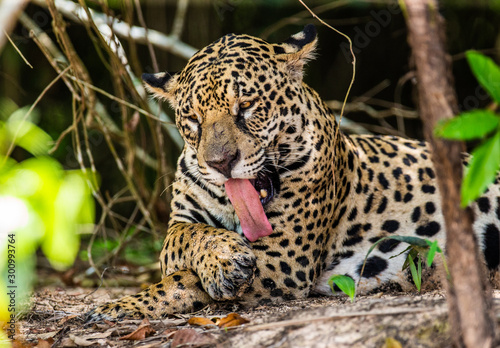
(486, 72)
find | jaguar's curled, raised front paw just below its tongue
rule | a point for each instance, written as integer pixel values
(229, 271)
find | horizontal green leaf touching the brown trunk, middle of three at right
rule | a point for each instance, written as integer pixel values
(468, 125)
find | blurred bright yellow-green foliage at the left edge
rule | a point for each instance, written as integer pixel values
(41, 205)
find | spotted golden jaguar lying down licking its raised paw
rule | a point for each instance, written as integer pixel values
(271, 198)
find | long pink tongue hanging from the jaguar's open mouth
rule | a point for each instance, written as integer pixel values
(246, 203)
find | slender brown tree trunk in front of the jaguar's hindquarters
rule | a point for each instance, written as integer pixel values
(469, 296)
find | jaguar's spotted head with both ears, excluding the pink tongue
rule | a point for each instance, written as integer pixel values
(235, 101)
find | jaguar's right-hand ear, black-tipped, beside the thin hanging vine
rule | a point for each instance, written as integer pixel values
(297, 50)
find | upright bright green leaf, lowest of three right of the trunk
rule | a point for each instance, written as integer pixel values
(482, 170)
